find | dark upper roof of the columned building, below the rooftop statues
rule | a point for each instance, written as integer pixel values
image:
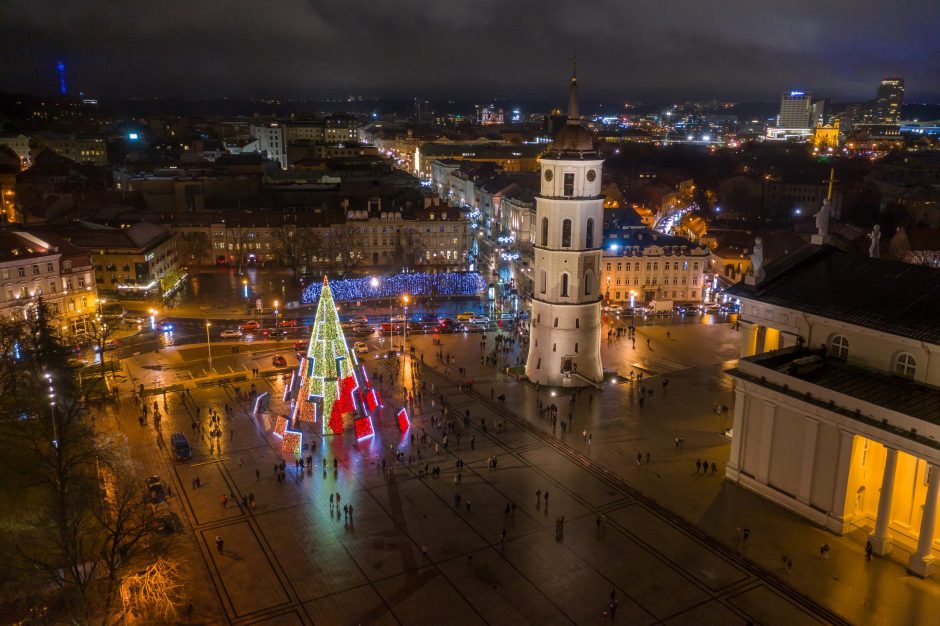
(888, 296)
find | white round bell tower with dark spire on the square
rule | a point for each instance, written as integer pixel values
(565, 328)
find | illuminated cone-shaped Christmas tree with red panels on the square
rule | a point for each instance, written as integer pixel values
(328, 379)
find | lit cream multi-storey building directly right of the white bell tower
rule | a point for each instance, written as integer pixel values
(644, 265)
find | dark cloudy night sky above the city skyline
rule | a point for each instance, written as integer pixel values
(627, 49)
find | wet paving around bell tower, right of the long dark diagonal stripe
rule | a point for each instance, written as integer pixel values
(875, 592)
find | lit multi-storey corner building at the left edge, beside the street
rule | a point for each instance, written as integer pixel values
(34, 266)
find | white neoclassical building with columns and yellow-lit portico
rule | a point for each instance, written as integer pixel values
(837, 395)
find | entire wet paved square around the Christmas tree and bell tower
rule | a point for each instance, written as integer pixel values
(665, 545)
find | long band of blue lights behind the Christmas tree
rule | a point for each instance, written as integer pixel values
(444, 284)
